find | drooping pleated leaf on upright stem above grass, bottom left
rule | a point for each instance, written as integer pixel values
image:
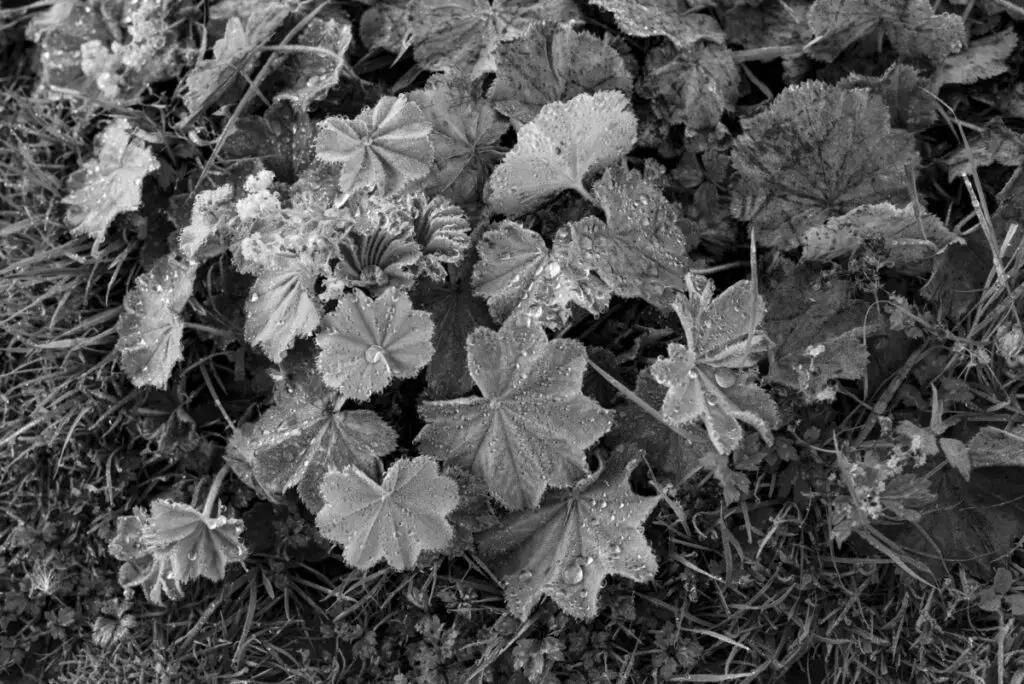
(197, 546)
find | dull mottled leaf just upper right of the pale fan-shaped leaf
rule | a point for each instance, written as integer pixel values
(693, 87)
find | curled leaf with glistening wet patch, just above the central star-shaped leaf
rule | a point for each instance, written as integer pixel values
(520, 276)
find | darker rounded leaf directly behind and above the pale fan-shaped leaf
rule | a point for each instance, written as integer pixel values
(553, 64)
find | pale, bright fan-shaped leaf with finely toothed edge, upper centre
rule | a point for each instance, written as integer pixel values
(563, 145)
